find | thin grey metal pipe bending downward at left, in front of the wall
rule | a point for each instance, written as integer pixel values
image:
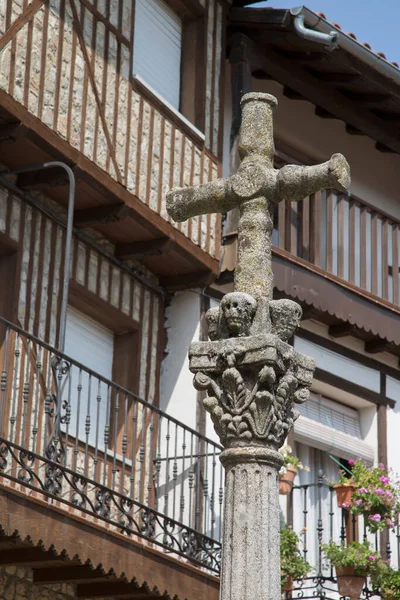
(68, 241)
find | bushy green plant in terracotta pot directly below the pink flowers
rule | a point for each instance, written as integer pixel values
(353, 564)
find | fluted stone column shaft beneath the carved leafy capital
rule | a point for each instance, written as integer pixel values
(251, 541)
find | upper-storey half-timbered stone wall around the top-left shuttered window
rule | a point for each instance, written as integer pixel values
(69, 62)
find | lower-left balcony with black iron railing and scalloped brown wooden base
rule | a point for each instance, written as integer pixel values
(78, 451)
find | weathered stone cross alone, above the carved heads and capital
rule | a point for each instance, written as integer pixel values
(255, 189)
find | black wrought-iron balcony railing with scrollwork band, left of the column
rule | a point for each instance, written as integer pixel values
(84, 443)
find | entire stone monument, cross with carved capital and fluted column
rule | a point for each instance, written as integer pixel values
(252, 376)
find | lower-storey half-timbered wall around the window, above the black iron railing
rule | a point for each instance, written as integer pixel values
(40, 257)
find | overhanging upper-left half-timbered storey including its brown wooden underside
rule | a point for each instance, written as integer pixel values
(67, 93)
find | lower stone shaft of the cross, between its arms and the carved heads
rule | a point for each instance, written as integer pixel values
(253, 273)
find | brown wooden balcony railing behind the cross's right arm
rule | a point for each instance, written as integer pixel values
(346, 237)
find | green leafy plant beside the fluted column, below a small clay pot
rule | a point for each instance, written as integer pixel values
(293, 565)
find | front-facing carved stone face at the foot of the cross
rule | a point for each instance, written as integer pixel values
(239, 310)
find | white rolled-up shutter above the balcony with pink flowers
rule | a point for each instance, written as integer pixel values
(332, 427)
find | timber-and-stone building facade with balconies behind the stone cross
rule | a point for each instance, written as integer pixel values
(111, 485)
